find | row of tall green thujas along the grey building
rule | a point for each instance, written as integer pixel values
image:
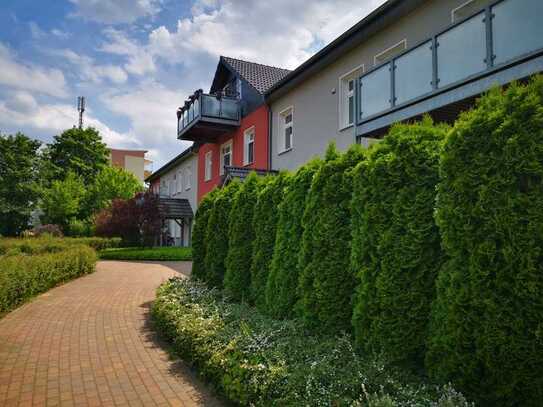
(440, 229)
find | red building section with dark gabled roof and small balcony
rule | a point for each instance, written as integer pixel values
(229, 126)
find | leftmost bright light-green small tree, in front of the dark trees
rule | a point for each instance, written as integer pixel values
(61, 203)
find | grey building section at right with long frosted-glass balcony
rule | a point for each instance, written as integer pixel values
(405, 59)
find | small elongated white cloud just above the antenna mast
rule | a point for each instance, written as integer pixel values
(89, 70)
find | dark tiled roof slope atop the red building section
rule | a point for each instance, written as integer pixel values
(261, 77)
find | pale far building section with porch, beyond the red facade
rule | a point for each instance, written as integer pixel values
(176, 184)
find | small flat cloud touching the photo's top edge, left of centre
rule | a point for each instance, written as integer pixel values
(115, 11)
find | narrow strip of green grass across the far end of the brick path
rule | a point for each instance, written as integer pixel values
(138, 253)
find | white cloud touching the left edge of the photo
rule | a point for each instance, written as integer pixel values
(18, 75)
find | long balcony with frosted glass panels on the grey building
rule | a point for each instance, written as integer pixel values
(501, 43)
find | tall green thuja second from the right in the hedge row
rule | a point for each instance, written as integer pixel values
(396, 245)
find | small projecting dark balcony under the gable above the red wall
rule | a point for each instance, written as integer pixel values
(205, 117)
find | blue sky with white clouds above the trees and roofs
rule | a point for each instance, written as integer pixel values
(137, 60)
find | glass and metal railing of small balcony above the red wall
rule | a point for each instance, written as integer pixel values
(202, 106)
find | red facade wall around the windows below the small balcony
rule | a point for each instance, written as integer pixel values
(258, 119)
